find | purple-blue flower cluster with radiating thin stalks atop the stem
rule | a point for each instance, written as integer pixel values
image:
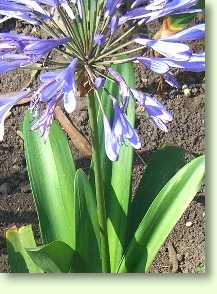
(86, 34)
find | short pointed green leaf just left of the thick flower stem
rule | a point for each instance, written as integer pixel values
(86, 224)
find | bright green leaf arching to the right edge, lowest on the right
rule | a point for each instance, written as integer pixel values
(162, 216)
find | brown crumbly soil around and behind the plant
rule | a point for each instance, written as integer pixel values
(184, 250)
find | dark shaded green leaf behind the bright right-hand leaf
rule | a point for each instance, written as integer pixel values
(161, 167)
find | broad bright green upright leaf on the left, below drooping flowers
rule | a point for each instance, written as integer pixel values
(51, 172)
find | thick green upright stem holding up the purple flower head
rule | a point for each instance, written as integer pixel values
(99, 183)
